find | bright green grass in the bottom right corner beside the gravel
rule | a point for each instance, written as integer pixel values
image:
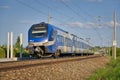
(111, 72)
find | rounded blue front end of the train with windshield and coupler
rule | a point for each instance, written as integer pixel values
(38, 39)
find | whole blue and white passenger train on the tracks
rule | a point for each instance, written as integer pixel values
(46, 39)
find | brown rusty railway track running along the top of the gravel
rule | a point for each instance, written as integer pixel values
(39, 62)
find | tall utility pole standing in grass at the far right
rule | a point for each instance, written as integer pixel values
(114, 38)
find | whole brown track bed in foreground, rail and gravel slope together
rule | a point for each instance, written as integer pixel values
(53, 69)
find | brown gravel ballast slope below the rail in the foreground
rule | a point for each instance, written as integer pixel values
(77, 70)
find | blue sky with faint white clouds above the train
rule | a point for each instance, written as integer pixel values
(88, 19)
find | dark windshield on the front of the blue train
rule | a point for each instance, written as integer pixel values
(39, 31)
